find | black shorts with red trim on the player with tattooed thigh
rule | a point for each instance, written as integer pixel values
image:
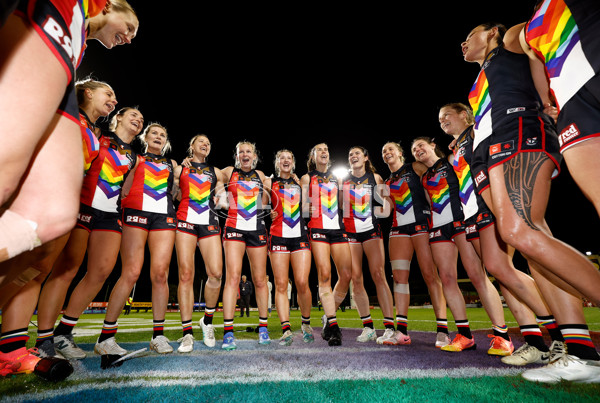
(524, 134)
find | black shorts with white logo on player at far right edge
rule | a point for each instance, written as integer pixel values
(579, 119)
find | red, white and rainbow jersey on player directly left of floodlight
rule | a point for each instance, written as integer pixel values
(323, 192)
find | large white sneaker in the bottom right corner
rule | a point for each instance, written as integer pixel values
(568, 368)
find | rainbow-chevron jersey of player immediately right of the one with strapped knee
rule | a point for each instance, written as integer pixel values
(441, 184)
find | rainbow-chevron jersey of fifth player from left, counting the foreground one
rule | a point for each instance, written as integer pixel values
(197, 186)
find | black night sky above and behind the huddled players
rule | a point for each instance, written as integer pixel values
(296, 74)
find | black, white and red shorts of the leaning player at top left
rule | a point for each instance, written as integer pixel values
(65, 39)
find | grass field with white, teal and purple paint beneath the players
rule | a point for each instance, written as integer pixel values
(312, 372)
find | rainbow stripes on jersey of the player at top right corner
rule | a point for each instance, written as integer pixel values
(553, 32)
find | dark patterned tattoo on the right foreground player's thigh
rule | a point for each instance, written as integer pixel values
(520, 173)
